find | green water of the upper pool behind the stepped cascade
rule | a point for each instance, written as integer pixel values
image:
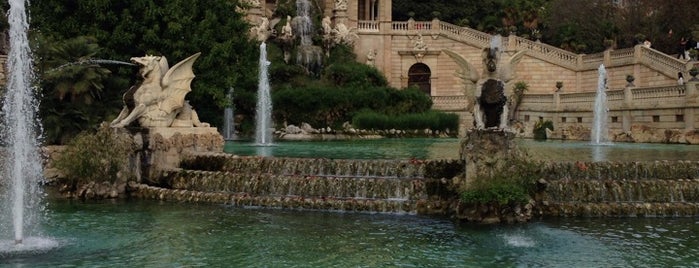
(449, 149)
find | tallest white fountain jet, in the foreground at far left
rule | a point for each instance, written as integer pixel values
(21, 163)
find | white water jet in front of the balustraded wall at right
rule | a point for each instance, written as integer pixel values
(599, 123)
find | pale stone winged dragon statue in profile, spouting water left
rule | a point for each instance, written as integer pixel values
(158, 100)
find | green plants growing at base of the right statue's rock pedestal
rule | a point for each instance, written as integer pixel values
(514, 184)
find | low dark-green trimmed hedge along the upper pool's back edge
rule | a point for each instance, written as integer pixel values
(434, 120)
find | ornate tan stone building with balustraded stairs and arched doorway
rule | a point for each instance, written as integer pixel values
(651, 108)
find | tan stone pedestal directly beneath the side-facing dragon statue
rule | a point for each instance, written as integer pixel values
(163, 148)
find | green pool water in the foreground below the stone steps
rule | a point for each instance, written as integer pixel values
(156, 234)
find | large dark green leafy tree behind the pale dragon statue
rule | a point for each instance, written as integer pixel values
(175, 29)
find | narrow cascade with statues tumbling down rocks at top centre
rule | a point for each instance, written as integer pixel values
(308, 55)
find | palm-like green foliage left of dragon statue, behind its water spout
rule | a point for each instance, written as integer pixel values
(75, 92)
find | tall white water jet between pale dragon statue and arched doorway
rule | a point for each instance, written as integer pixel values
(263, 115)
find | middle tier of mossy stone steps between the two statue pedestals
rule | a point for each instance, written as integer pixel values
(303, 186)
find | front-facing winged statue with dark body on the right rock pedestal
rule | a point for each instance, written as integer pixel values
(486, 93)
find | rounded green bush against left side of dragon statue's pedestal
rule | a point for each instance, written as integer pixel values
(96, 157)
